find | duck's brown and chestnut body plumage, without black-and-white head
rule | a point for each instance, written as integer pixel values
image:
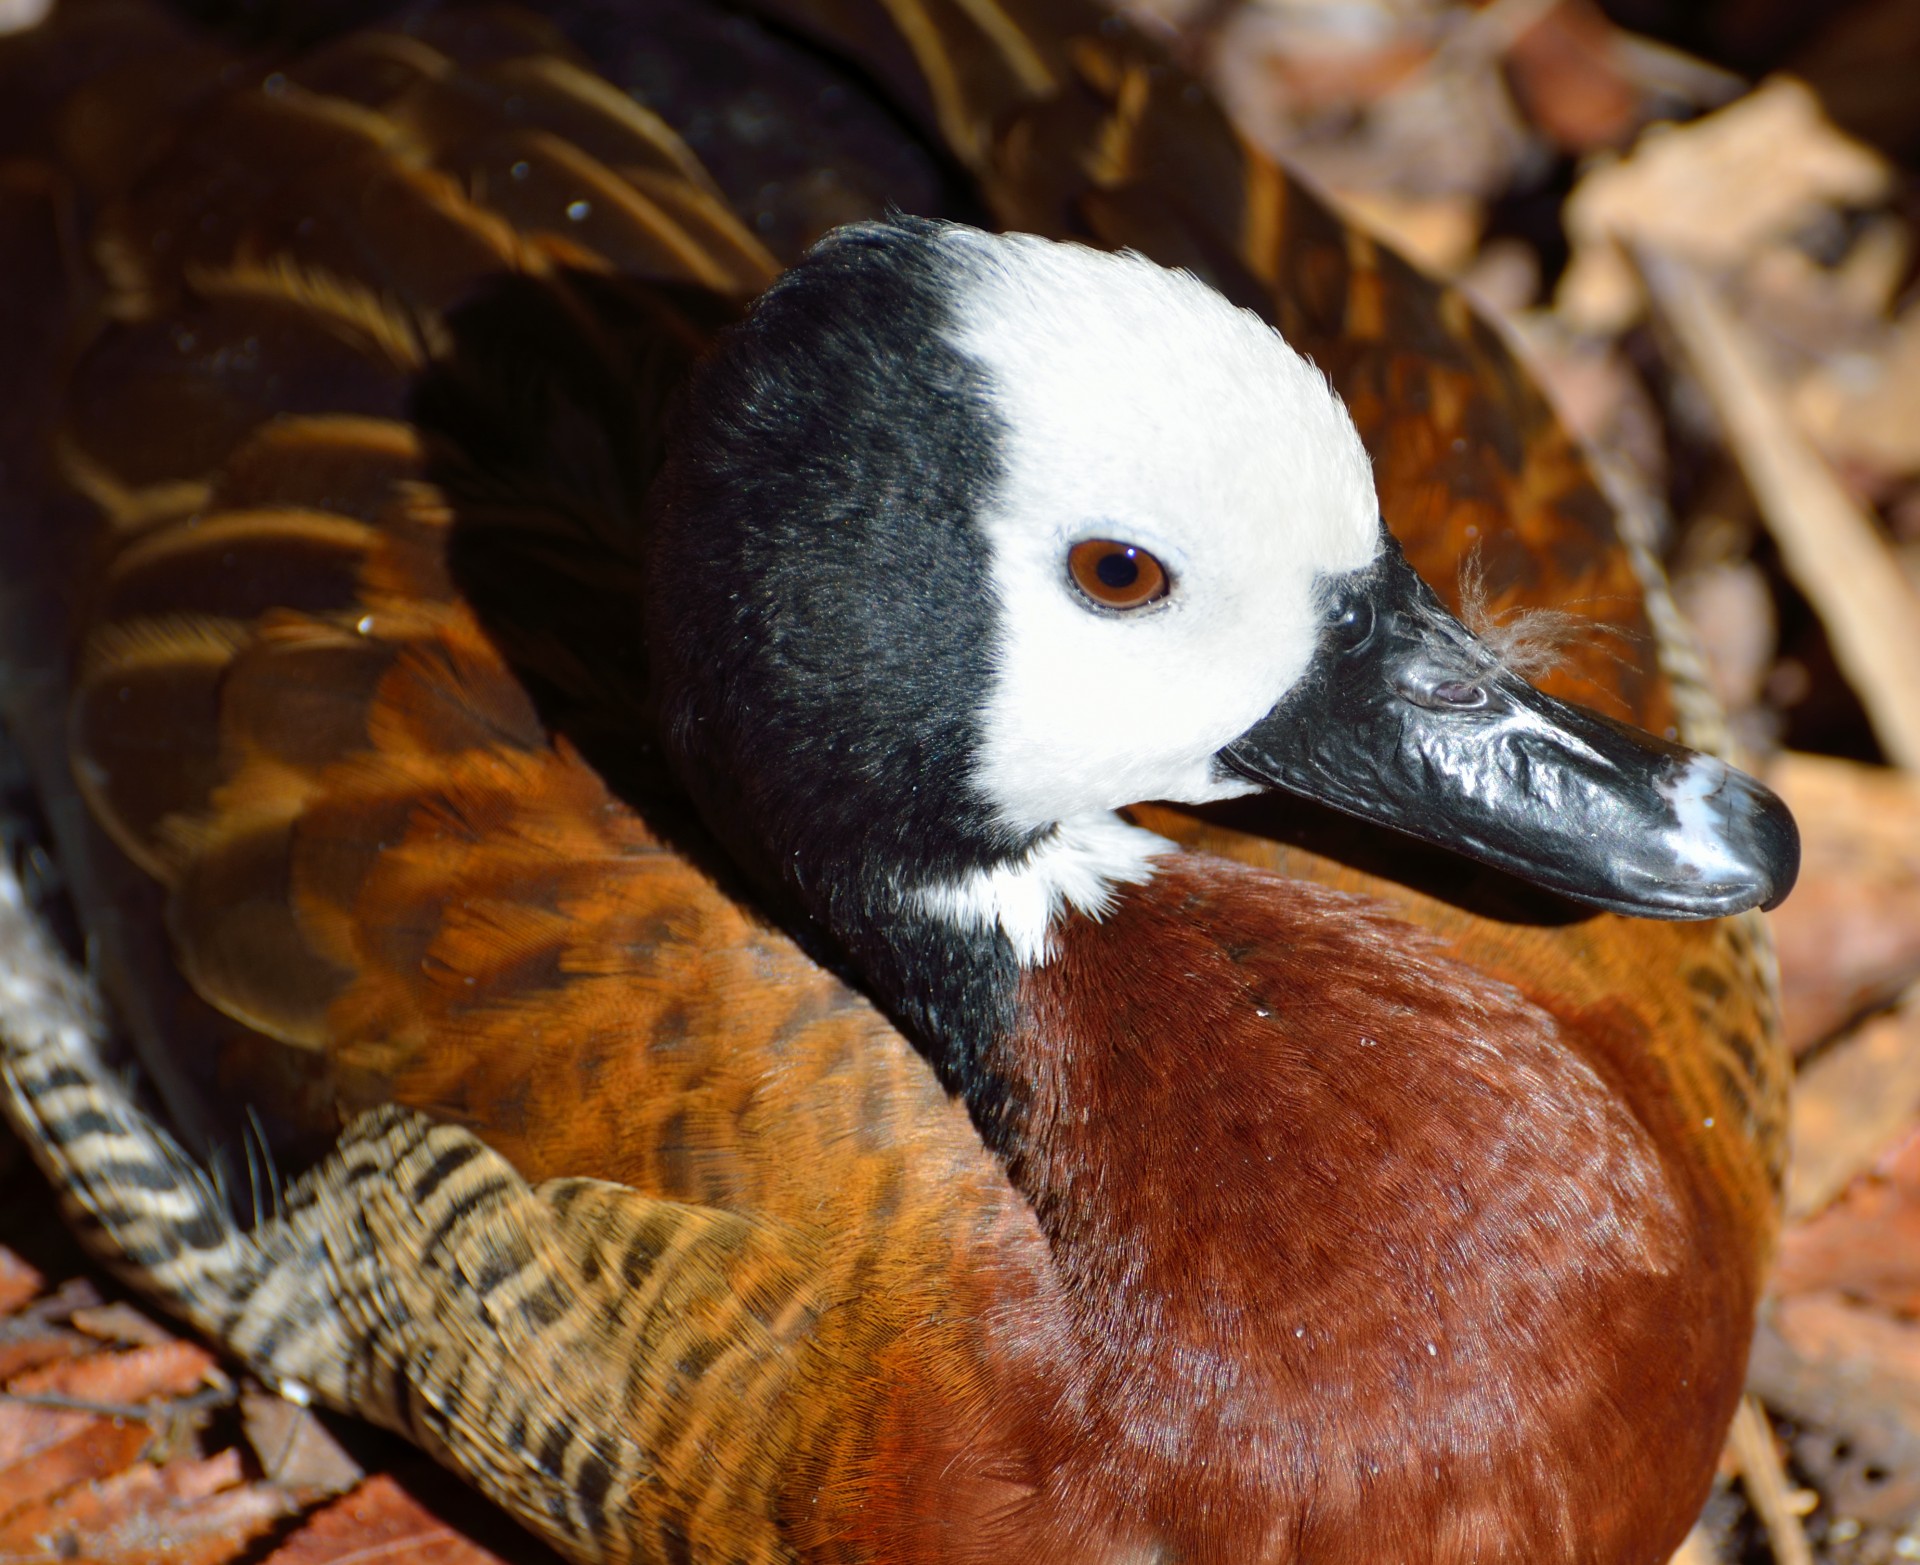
(322, 567)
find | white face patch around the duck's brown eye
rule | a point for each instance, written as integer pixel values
(1141, 406)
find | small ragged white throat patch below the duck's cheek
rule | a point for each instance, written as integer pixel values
(1076, 869)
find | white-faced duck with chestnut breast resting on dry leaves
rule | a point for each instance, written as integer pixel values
(627, 759)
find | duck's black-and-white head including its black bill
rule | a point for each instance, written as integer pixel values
(971, 541)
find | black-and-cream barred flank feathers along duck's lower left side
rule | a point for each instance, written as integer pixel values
(420, 1282)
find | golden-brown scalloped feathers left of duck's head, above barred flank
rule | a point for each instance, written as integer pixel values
(366, 594)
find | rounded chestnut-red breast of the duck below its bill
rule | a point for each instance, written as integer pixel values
(1414, 1280)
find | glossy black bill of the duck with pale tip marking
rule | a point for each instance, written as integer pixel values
(1408, 721)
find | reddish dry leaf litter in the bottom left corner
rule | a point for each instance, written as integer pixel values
(124, 1443)
